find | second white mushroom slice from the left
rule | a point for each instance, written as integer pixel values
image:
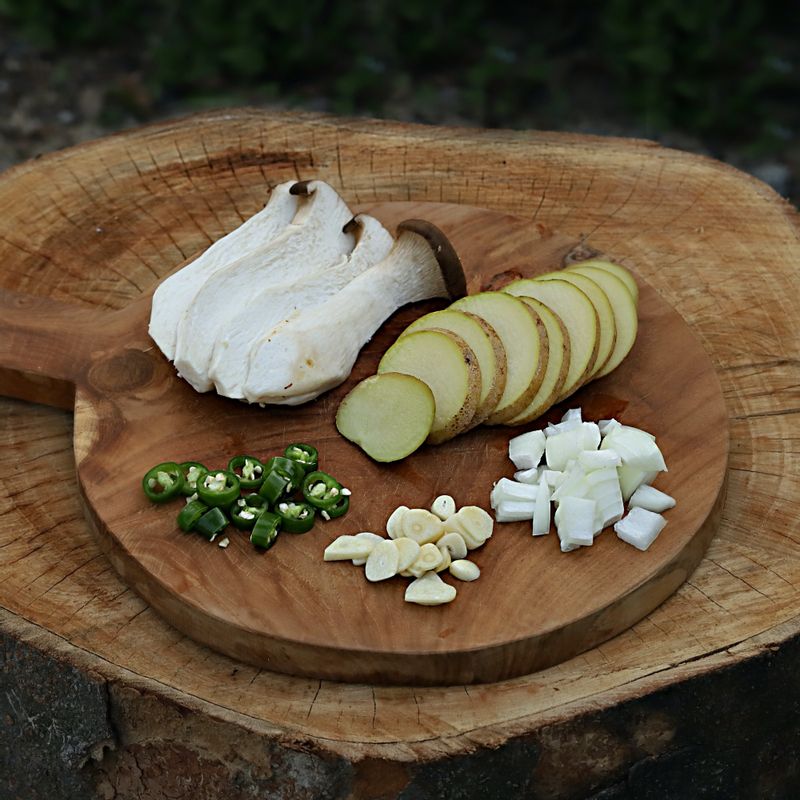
(314, 240)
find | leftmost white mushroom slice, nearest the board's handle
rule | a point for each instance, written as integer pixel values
(175, 294)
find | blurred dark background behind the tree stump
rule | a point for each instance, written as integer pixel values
(713, 76)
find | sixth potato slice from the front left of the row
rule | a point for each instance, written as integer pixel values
(577, 313)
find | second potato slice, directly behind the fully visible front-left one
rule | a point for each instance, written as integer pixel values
(448, 366)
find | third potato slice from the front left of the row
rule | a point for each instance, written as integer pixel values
(486, 345)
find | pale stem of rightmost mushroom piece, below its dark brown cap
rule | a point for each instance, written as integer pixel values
(300, 359)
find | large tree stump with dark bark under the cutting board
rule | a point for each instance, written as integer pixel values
(100, 698)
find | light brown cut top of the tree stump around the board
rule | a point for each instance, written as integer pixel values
(719, 246)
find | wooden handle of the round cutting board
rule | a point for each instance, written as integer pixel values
(45, 346)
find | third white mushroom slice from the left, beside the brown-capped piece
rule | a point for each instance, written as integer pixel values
(271, 305)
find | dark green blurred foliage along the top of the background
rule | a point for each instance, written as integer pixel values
(713, 68)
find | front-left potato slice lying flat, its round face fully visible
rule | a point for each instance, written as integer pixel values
(388, 415)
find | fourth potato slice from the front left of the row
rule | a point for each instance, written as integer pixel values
(521, 332)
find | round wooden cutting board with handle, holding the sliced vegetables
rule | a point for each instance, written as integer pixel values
(289, 611)
